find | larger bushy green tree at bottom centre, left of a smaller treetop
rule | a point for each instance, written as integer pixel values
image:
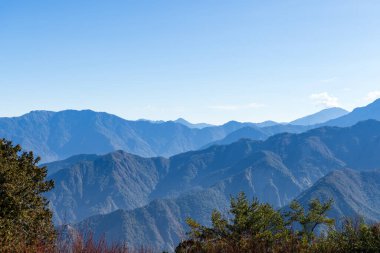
(252, 227)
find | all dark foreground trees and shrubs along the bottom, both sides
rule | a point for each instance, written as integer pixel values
(26, 222)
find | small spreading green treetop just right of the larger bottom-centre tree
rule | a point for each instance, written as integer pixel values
(309, 219)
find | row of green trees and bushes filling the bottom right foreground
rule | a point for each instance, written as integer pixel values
(255, 227)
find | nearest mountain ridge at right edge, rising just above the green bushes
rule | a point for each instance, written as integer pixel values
(356, 194)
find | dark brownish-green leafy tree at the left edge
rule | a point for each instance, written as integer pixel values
(24, 215)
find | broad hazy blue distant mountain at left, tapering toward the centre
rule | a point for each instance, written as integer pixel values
(59, 135)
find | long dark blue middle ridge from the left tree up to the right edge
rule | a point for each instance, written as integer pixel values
(262, 168)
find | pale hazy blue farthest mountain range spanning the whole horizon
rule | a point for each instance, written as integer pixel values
(59, 135)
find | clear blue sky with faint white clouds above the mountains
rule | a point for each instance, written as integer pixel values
(204, 60)
